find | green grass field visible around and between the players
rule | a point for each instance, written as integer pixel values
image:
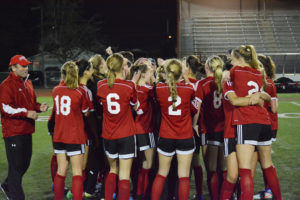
(286, 157)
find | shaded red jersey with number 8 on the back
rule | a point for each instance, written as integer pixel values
(213, 114)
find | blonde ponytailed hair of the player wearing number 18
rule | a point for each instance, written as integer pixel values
(70, 71)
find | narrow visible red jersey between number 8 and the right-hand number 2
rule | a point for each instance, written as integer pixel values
(229, 129)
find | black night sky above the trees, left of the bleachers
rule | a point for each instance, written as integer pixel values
(124, 25)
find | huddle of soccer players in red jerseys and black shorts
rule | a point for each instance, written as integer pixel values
(121, 122)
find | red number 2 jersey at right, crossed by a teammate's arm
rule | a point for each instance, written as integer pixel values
(246, 81)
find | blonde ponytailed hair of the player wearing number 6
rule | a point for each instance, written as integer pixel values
(114, 64)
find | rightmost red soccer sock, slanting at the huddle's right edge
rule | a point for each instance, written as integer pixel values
(273, 181)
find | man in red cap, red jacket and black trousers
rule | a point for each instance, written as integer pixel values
(19, 109)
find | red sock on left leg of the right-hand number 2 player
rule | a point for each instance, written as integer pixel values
(247, 185)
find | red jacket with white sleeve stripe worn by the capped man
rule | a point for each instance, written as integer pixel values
(16, 98)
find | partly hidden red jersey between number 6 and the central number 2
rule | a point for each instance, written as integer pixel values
(143, 120)
